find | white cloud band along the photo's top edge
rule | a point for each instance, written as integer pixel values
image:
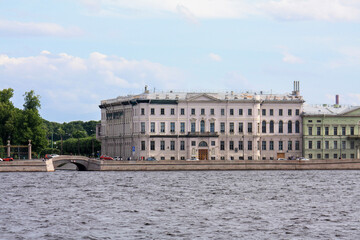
(283, 10)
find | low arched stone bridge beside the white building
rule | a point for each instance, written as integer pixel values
(82, 163)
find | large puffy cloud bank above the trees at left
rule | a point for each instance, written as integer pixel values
(72, 86)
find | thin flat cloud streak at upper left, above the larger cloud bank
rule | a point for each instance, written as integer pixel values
(31, 29)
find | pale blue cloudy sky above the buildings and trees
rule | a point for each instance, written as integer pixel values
(75, 53)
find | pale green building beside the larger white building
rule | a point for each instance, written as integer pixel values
(331, 132)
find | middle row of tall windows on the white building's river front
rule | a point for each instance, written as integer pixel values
(222, 127)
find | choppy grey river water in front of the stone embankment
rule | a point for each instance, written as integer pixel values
(180, 205)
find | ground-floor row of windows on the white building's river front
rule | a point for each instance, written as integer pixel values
(265, 145)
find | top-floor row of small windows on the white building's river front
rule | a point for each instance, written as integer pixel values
(264, 112)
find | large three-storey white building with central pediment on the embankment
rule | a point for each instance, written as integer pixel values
(209, 126)
